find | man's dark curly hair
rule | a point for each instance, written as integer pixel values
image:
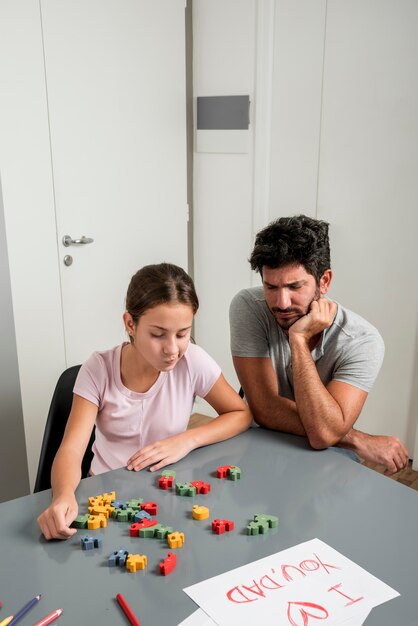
(299, 240)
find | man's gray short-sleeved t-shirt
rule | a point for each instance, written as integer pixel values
(351, 350)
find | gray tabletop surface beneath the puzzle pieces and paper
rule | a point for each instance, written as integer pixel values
(365, 516)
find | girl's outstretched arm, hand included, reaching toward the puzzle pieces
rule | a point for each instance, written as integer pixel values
(56, 520)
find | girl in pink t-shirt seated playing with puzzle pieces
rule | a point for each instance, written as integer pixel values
(140, 394)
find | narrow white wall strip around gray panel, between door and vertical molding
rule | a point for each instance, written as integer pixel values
(224, 64)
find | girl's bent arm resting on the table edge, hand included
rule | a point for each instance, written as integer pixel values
(233, 418)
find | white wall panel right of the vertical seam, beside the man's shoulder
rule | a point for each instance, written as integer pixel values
(368, 188)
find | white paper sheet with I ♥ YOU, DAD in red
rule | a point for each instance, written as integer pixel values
(298, 586)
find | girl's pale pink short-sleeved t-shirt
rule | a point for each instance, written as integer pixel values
(126, 420)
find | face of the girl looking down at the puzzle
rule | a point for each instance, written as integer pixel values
(162, 334)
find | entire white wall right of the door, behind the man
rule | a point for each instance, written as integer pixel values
(344, 147)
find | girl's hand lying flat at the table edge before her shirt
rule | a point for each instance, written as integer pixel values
(161, 453)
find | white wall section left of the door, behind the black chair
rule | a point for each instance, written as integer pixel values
(25, 167)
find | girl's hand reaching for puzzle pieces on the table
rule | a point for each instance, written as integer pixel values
(56, 520)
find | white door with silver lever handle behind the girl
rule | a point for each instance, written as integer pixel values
(115, 79)
